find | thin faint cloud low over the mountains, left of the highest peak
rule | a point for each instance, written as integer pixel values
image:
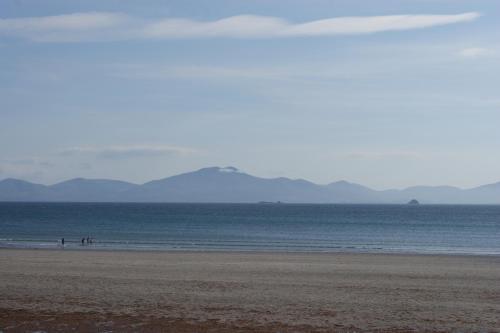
(115, 152)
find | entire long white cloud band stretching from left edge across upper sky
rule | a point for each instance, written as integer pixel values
(109, 26)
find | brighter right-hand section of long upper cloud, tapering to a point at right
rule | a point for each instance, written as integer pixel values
(245, 26)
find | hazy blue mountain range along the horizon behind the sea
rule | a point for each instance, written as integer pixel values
(228, 184)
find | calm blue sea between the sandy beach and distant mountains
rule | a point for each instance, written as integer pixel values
(261, 227)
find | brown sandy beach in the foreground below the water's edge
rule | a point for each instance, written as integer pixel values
(122, 291)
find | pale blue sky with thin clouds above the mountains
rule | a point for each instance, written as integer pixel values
(385, 93)
